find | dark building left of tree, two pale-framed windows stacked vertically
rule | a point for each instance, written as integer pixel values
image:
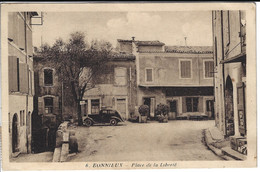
(47, 104)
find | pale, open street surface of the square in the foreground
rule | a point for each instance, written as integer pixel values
(173, 141)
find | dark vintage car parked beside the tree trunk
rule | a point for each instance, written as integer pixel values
(110, 116)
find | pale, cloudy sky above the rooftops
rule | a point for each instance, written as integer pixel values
(167, 27)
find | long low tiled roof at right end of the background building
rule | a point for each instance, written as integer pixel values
(189, 49)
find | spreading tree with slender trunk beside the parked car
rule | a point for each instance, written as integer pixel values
(77, 64)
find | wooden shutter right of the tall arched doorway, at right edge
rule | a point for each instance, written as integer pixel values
(241, 107)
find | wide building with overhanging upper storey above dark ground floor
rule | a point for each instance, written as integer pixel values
(181, 77)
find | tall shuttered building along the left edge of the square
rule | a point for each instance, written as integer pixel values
(21, 86)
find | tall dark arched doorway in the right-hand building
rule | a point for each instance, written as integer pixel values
(229, 108)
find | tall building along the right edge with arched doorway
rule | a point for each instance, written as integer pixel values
(229, 40)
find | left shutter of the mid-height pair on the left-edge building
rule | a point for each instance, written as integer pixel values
(13, 65)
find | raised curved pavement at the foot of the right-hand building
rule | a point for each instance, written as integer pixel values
(216, 142)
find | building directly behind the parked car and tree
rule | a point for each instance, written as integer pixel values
(115, 87)
